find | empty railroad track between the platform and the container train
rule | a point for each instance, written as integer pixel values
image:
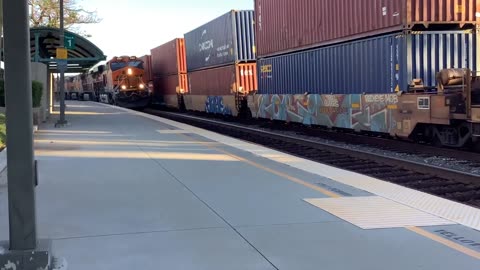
(443, 182)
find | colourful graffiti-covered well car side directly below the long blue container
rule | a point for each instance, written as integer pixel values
(360, 112)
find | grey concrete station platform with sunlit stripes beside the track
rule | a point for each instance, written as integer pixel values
(122, 190)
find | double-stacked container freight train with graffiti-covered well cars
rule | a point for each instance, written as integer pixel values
(402, 68)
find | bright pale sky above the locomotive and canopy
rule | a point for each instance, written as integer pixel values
(133, 27)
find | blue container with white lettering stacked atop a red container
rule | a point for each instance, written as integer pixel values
(225, 40)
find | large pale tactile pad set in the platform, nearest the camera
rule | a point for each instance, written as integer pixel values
(375, 212)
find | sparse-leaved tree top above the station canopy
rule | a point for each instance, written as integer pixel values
(47, 13)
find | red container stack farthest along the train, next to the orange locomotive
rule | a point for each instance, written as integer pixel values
(169, 72)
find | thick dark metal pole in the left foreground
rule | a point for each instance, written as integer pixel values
(18, 97)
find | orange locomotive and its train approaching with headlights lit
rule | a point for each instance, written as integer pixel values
(120, 82)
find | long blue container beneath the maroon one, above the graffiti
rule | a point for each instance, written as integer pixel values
(376, 65)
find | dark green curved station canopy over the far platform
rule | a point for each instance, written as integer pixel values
(82, 54)
